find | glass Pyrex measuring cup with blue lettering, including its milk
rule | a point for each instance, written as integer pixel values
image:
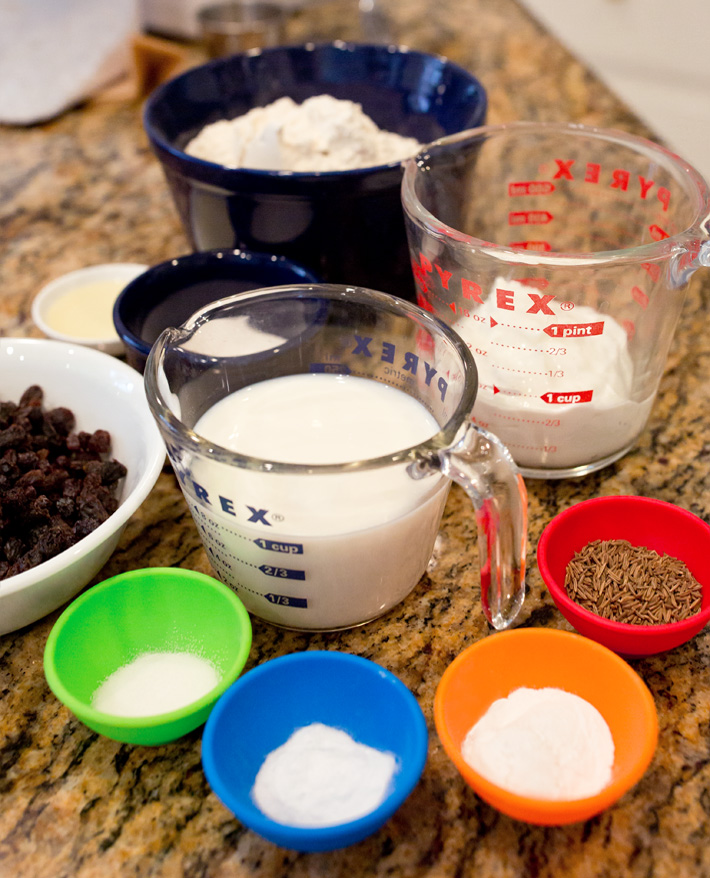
(321, 539)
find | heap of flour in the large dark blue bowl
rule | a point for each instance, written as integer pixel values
(321, 134)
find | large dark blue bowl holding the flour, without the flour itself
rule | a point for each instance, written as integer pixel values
(346, 226)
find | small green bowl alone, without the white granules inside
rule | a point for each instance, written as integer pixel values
(157, 609)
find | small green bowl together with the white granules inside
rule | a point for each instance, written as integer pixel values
(144, 656)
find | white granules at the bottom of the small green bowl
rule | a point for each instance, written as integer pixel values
(154, 683)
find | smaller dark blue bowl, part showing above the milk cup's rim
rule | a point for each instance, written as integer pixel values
(168, 293)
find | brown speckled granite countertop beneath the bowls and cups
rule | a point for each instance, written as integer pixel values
(85, 189)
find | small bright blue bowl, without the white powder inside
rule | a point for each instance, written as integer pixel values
(266, 705)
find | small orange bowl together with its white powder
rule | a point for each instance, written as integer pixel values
(528, 686)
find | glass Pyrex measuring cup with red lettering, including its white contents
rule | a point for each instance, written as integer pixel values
(560, 254)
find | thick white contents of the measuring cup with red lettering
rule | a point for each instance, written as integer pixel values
(553, 396)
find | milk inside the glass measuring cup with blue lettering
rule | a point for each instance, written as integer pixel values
(317, 551)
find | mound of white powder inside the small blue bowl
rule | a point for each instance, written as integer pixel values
(322, 777)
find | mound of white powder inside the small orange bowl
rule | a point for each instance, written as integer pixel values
(544, 743)
